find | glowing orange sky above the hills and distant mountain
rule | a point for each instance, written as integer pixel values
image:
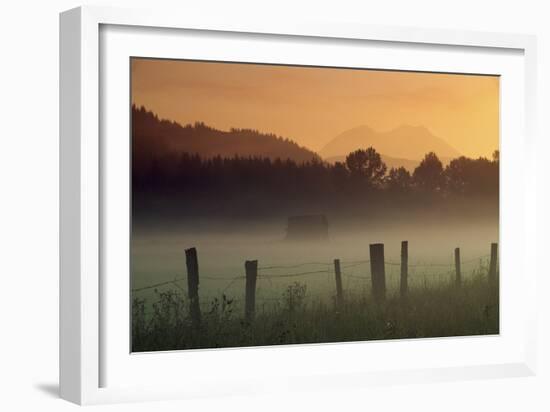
(313, 105)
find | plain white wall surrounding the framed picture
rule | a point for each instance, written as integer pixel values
(29, 203)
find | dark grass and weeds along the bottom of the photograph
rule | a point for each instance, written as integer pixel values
(435, 311)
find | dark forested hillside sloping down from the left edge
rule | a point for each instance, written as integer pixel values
(153, 138)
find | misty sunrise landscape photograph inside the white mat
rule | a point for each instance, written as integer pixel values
(276, 204)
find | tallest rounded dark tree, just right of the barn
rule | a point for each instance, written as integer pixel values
(366, 166)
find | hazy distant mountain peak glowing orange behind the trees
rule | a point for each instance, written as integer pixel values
(404, 142)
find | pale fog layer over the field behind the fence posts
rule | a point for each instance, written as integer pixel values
(158, 253)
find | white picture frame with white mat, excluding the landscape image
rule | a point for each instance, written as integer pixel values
(93, 367)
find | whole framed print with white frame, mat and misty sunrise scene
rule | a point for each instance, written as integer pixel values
(329, 201)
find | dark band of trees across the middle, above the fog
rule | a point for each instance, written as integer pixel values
(362, 172)
